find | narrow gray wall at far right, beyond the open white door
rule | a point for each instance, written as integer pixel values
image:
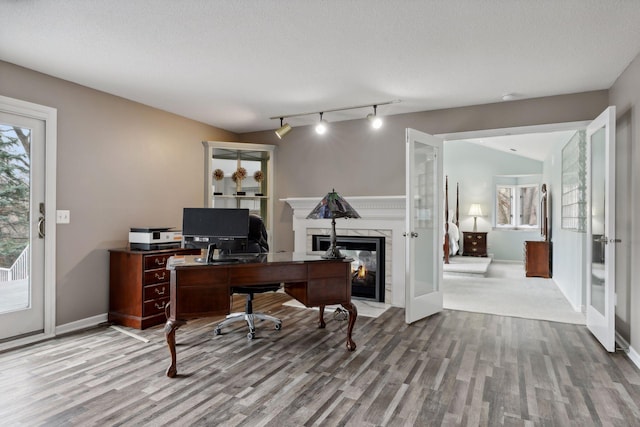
(625, 95)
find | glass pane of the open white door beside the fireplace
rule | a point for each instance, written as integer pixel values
(424, 208)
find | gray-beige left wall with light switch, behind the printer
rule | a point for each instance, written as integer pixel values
(120, 164)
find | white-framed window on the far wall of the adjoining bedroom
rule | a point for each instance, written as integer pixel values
(517, 206)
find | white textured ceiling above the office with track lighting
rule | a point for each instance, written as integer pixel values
(235, 64)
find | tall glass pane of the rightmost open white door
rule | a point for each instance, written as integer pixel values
(598, 180)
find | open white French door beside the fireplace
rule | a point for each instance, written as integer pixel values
(424, 225)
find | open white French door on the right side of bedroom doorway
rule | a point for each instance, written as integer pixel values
(601, 236)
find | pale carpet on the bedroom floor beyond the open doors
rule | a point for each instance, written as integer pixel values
(507, 292)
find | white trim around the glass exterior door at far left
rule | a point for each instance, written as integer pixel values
(49, 116)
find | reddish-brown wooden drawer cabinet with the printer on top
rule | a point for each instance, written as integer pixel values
(139, 286)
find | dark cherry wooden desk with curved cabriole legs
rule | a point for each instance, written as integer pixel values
(200, 290)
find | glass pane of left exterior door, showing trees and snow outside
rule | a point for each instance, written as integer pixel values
(15, 143)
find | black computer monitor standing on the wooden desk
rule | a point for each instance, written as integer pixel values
(222, 227)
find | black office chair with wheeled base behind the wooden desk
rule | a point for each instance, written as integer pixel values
(257, 243)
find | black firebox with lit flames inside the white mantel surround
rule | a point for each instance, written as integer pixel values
(367, 267)
